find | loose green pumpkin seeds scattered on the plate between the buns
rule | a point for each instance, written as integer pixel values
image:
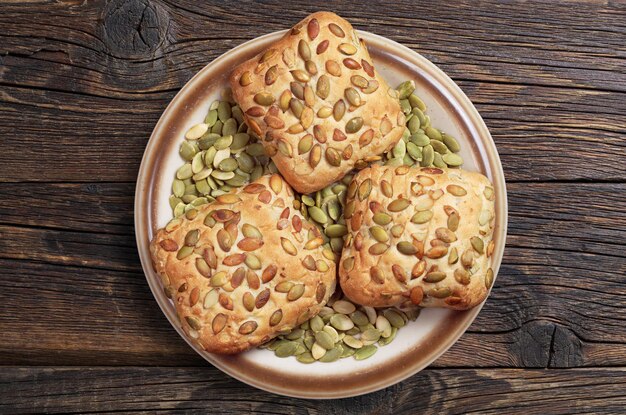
(222, 153)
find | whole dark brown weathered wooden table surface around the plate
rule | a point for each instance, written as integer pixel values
(82, 85)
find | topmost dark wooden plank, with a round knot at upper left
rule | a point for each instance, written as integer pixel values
(551, 90)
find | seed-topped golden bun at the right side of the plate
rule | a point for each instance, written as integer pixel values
(430, 243)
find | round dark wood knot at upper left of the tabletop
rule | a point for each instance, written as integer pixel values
(135, 28)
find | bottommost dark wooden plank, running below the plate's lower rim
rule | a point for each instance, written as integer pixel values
(205, 389)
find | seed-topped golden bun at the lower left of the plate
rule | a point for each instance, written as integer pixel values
(252, 260)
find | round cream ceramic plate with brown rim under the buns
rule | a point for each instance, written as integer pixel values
(420, 342)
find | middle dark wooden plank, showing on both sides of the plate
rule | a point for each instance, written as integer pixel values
(553, 305)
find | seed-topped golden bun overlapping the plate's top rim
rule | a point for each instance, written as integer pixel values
(319, 64)
